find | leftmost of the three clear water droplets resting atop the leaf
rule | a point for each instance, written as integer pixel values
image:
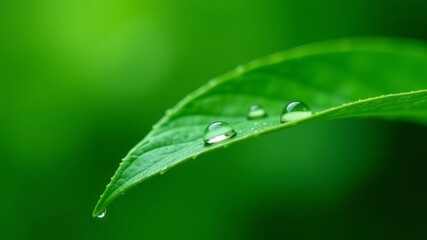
(217, 132)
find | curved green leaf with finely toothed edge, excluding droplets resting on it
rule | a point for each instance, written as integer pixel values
(390, 76)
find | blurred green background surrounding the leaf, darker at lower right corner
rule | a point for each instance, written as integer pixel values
(81, 82)
